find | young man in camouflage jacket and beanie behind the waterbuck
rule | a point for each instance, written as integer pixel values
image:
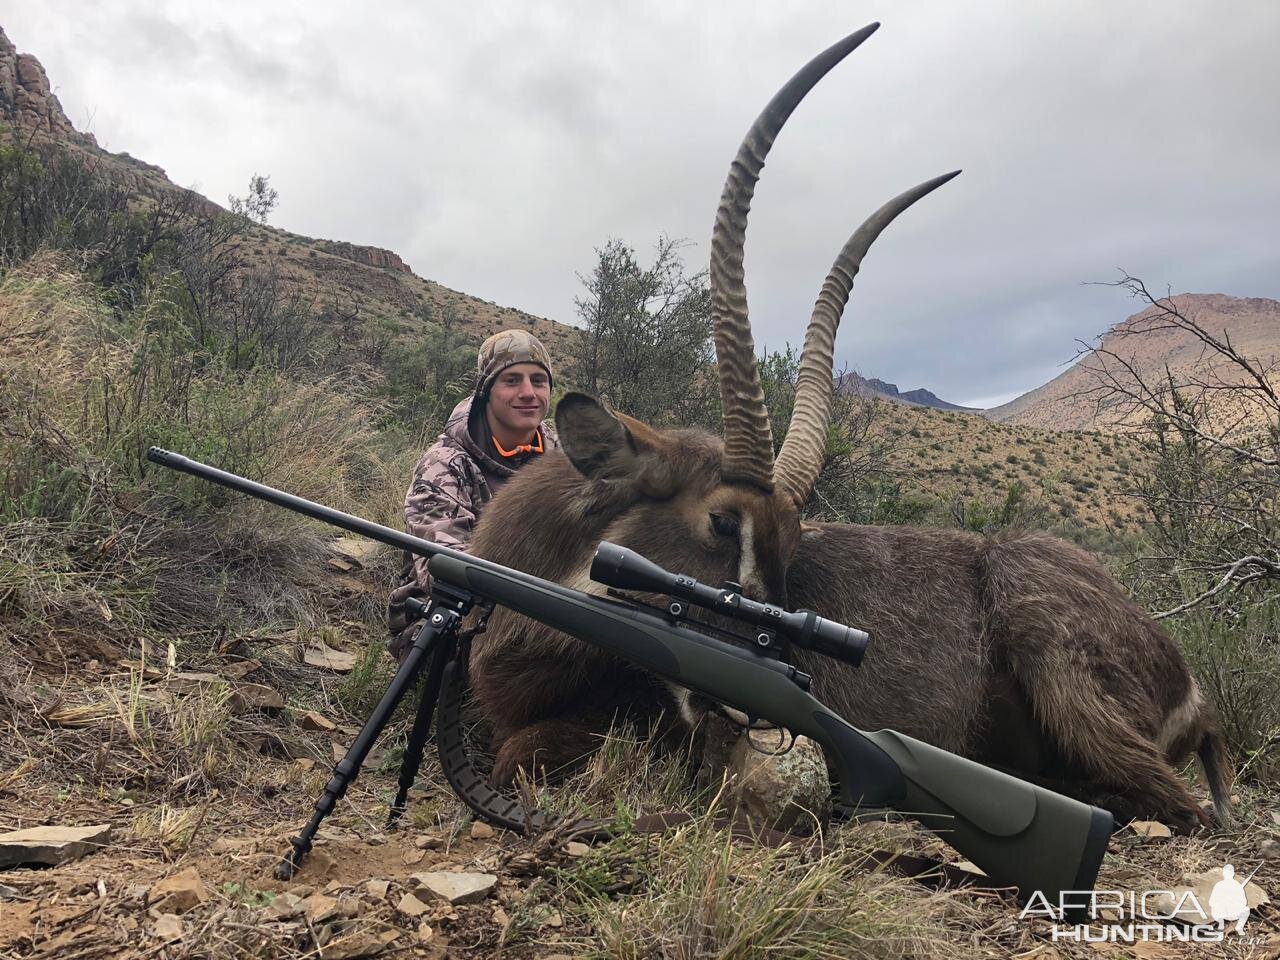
(487, 440)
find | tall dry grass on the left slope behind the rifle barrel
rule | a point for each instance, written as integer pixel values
(95, 541)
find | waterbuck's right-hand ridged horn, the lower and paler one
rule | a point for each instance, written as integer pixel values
(803, 451)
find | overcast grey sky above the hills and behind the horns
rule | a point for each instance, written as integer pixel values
(493, 147)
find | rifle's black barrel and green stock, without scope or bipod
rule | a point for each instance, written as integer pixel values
(1021, 835)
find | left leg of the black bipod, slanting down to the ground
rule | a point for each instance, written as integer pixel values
(441, 627)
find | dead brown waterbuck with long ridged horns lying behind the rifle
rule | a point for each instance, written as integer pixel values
(1018, 651)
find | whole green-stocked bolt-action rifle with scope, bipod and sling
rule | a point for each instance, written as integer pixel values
(1018, 834)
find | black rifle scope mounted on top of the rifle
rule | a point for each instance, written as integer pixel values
(627, 570)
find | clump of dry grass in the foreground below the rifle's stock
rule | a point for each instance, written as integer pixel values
(697, 893)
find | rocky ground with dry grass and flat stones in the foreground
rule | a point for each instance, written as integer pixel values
(163, 787)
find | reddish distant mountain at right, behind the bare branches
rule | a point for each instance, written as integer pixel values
(1252, 324)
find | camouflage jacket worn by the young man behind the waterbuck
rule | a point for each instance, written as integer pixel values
(452, 483)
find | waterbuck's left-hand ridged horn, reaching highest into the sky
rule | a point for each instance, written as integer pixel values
(748, 441)
